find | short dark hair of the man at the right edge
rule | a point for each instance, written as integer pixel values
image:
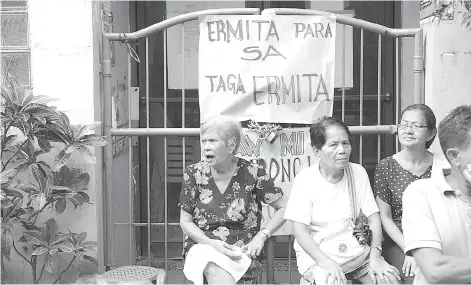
(454, 130)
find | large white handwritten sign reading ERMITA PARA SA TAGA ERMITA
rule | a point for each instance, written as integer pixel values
(268, 68)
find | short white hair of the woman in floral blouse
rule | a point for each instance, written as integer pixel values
(226, 127)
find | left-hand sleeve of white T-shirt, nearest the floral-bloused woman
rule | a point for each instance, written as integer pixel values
(299, 207)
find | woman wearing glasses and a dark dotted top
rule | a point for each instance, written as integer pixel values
(416, 132)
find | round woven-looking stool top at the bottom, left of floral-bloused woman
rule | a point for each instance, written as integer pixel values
(131, 273)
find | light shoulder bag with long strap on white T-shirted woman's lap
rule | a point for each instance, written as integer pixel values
(343, 246)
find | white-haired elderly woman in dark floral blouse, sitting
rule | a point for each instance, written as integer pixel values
(221, 209)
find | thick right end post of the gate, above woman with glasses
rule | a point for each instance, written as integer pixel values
(419, 68)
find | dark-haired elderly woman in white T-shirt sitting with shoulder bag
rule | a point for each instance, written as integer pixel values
(324, 203)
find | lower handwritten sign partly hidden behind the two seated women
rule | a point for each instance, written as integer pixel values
(289, 153)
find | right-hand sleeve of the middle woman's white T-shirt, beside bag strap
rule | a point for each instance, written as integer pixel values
(366, 198)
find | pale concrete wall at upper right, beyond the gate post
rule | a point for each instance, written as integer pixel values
(447, 66)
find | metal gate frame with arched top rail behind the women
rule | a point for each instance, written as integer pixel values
(109, 132)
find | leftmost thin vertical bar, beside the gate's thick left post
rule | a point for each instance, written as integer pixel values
(130, 198)
